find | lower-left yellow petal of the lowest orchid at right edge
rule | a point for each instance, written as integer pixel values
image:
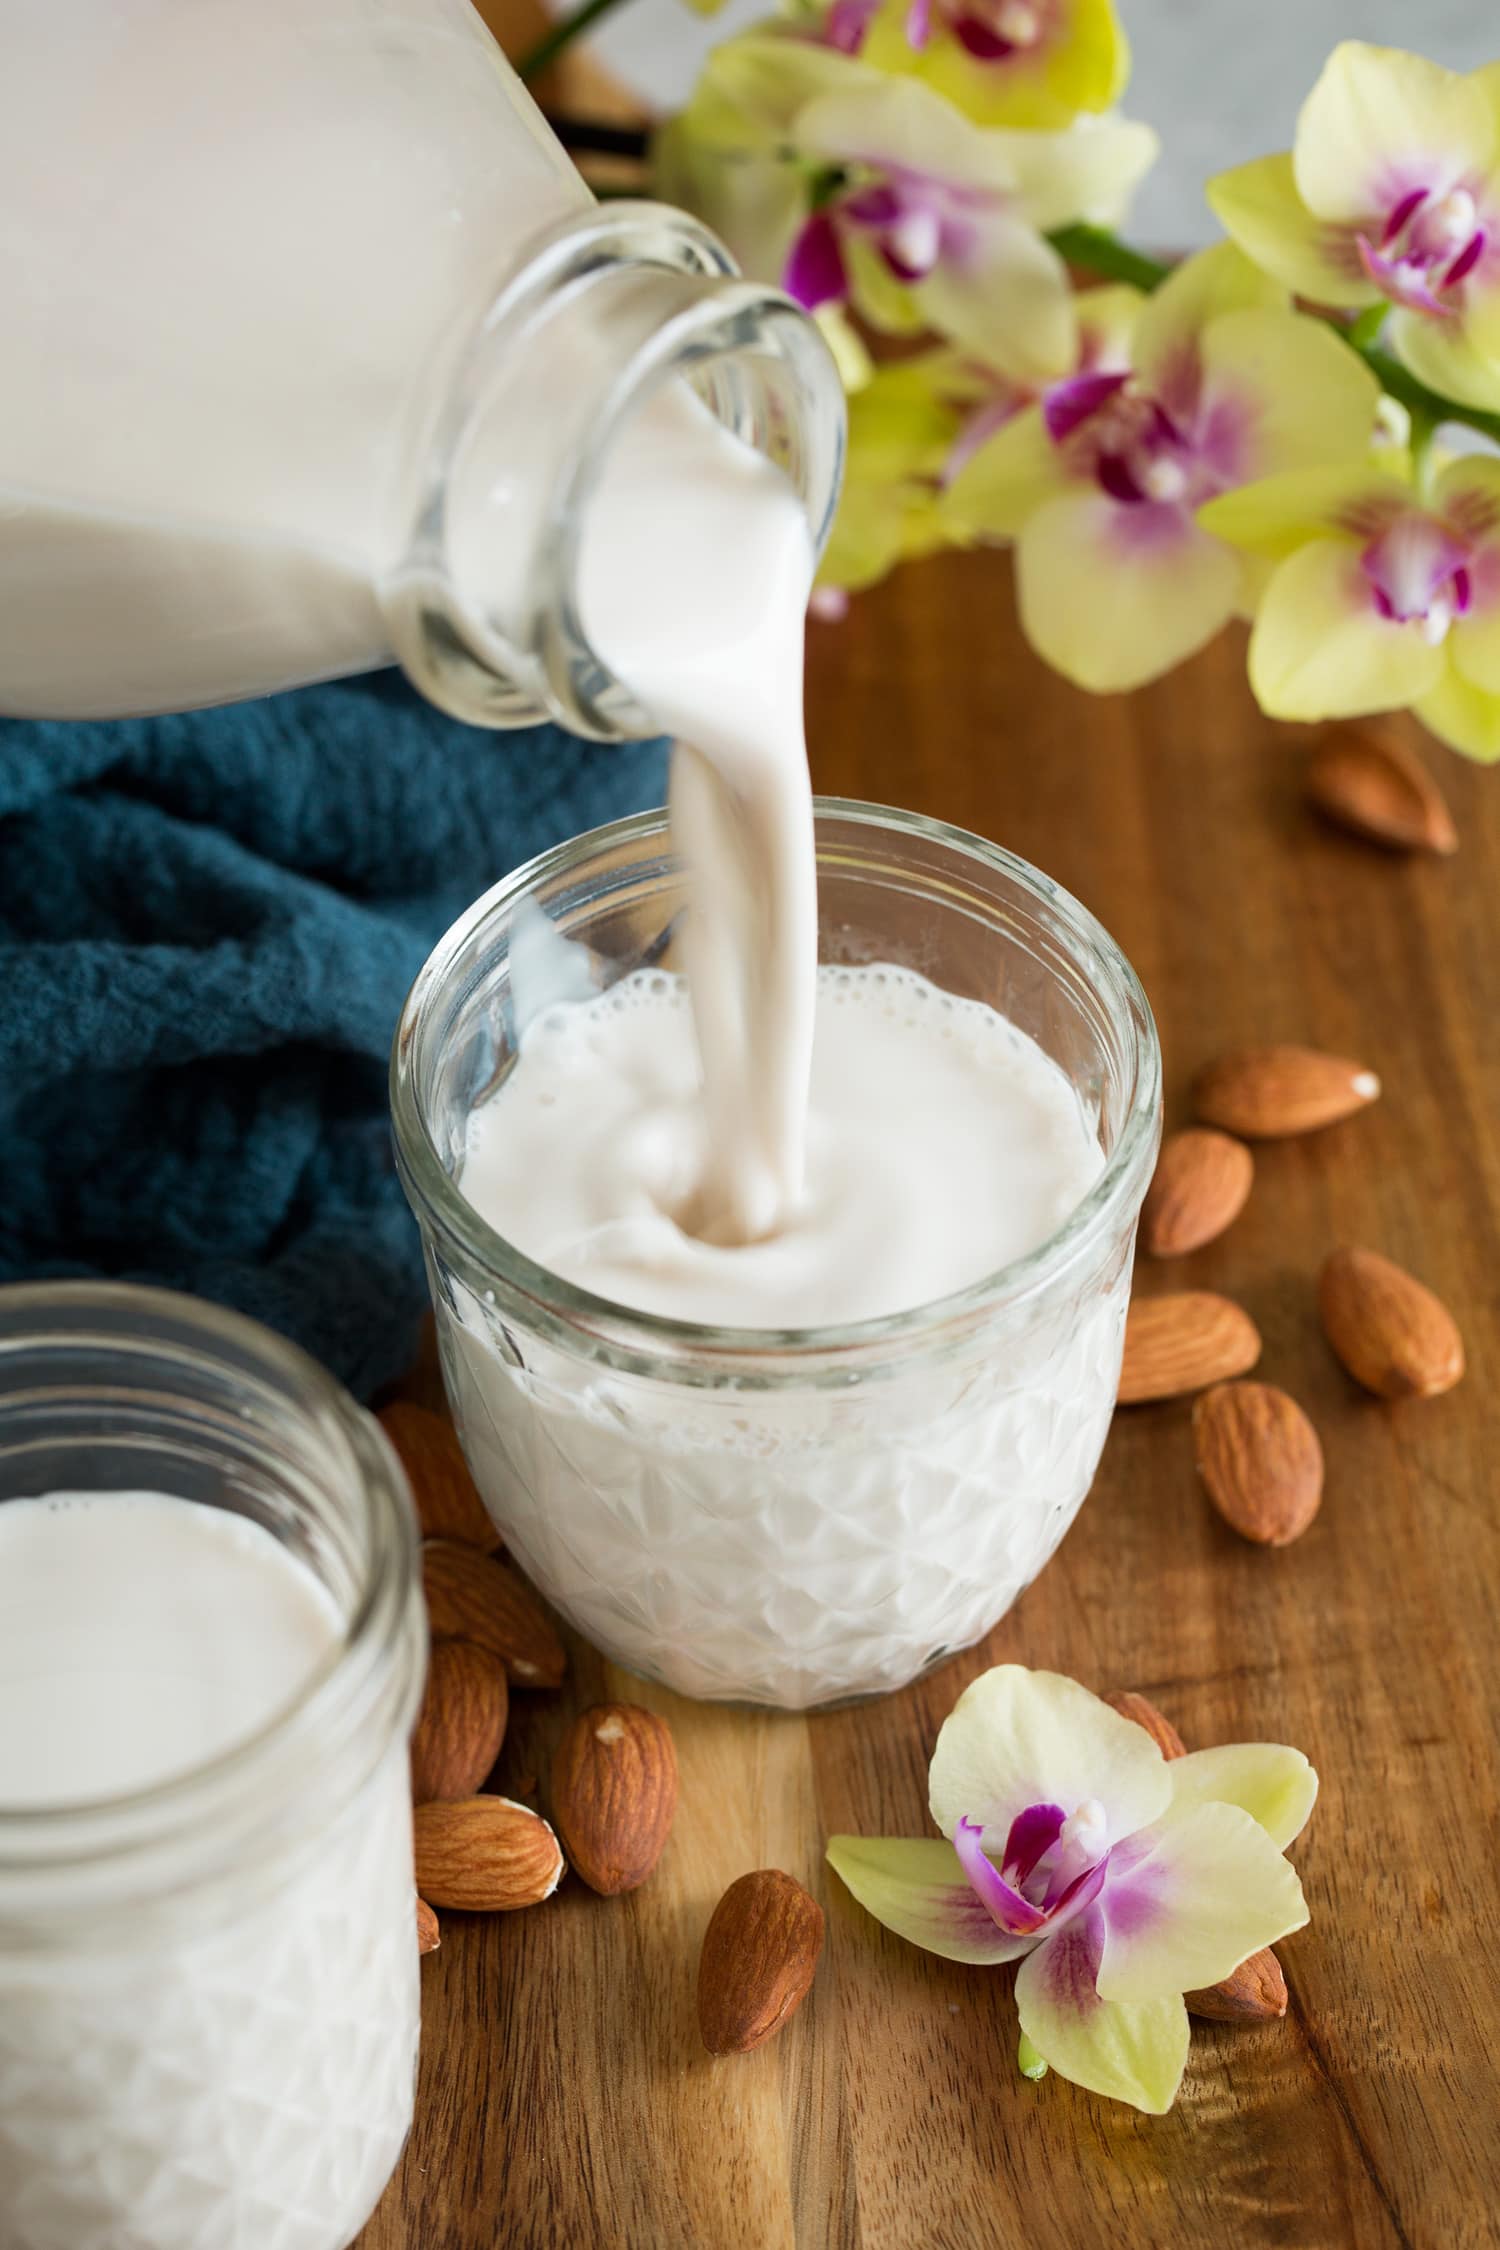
(1321, 647)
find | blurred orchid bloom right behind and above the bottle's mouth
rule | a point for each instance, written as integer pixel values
(856, 188)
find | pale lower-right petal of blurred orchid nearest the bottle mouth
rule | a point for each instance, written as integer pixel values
(1006, 300)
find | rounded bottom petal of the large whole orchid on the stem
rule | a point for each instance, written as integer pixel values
(1117, 595)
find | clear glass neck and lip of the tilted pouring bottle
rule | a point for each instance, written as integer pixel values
(606, 312)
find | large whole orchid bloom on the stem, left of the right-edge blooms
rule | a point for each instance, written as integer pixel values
(1204, 386)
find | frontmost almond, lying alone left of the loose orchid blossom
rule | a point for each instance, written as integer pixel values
(761, 1952)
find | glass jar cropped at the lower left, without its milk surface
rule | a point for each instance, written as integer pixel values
(210, 1988)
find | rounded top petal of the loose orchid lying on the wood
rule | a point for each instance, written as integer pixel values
(1024, 1738)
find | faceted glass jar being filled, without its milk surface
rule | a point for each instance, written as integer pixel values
(808, 1515)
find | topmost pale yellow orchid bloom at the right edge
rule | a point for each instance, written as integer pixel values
(1391, 197)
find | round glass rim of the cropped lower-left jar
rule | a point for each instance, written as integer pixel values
(156, 1812)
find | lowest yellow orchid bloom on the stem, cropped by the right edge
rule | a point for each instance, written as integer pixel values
(1380, 595)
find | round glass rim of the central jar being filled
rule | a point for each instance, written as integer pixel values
(644, 1342)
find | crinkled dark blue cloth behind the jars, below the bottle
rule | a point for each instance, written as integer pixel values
(208, 926)
